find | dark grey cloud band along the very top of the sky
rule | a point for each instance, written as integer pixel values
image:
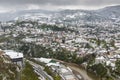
(60, 2)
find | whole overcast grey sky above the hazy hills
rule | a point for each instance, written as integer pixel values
(14, 5)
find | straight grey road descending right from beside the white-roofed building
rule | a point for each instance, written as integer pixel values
(40, 71)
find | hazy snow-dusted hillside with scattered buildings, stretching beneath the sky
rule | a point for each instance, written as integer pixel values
(109, 13)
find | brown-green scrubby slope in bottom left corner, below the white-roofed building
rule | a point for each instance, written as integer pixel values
(8, 71)
